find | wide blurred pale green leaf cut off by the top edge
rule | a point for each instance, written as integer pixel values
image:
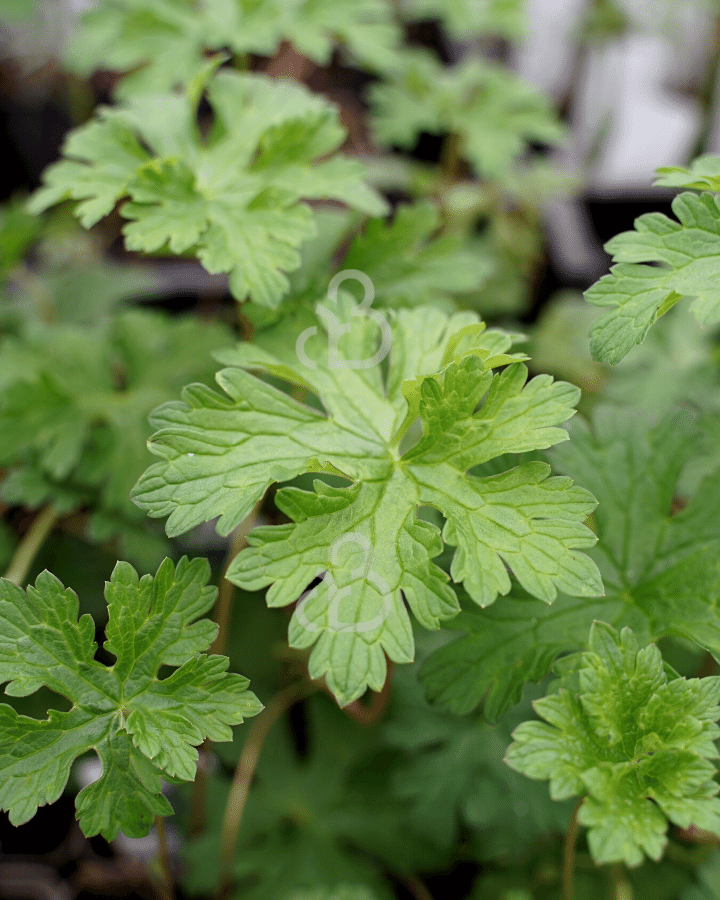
(166, 40)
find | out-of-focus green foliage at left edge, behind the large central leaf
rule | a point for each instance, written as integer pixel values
(74, 406)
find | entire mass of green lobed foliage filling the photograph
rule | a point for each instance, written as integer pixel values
(439, 528)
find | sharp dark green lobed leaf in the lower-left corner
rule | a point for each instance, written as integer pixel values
(140, 726)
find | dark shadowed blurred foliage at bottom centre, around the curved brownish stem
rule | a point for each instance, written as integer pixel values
(320, 821)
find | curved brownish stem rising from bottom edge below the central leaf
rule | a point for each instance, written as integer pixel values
(244, 772)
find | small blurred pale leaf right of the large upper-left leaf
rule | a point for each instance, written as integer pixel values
(493, 113)
